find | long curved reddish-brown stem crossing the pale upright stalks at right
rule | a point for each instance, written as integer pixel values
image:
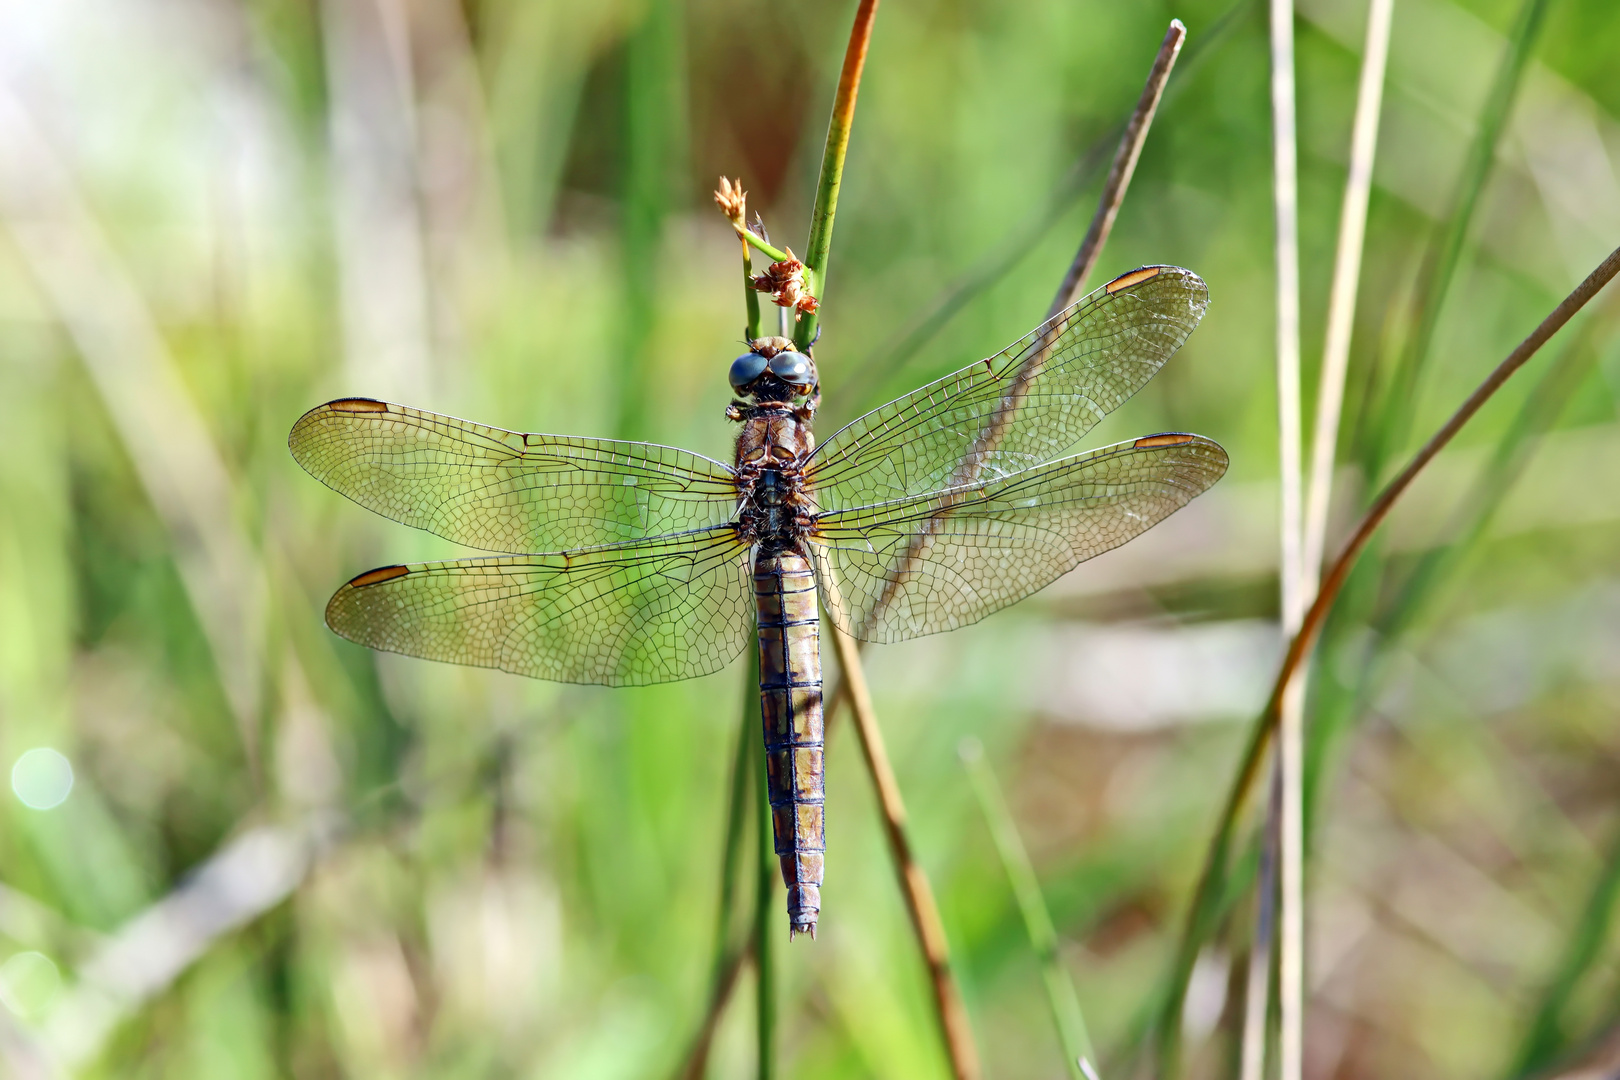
(1209, 898)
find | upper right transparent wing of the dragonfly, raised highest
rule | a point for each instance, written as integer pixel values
(1089, 360)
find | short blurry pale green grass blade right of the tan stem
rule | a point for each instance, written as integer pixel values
(1080, 1057)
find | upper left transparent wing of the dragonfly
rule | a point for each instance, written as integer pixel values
(503, 490)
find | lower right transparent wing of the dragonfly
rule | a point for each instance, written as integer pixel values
(911, 568)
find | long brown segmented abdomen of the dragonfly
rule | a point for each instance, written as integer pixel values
(791, 707)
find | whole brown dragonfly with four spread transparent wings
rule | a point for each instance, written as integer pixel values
(628, 563)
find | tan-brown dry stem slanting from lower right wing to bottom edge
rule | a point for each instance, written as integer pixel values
(914, 883)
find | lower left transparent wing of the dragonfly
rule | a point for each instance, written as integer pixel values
(652, 611)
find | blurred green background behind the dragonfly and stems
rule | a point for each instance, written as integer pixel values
(236, 846)
